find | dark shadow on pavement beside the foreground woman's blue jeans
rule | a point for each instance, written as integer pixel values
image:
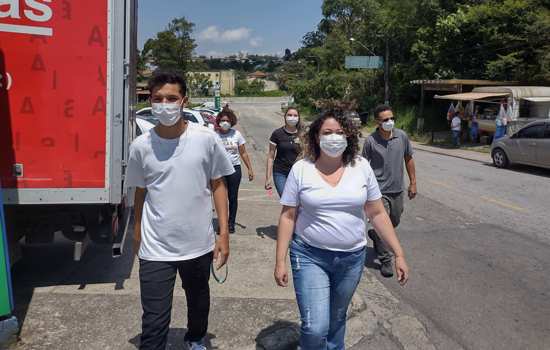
(281, 335)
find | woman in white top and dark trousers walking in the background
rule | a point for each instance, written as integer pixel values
(234, 144)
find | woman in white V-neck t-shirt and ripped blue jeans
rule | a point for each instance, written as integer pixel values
(327, 198)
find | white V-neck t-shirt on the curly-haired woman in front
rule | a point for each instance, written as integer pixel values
(331, 218)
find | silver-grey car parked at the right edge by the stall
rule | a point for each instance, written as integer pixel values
(530, 145)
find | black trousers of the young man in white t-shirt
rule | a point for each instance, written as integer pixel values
(157, 280)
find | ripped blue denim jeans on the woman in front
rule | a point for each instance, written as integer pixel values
(324, 282)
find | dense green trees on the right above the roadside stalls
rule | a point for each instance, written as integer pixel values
(425, 39)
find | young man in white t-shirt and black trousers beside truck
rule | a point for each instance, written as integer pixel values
(176, 168)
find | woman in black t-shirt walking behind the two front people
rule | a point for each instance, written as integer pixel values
(284, 148)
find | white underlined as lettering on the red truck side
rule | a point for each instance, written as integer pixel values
(34, 10)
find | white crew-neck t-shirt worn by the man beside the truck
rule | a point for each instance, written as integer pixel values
(177, 214)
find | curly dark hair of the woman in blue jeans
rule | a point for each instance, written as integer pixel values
(312, 150)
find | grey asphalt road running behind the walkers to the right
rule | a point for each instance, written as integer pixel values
(478, 241)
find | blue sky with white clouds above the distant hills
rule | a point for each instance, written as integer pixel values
(227, 27)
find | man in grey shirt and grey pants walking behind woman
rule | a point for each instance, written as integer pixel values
(387, 149)
